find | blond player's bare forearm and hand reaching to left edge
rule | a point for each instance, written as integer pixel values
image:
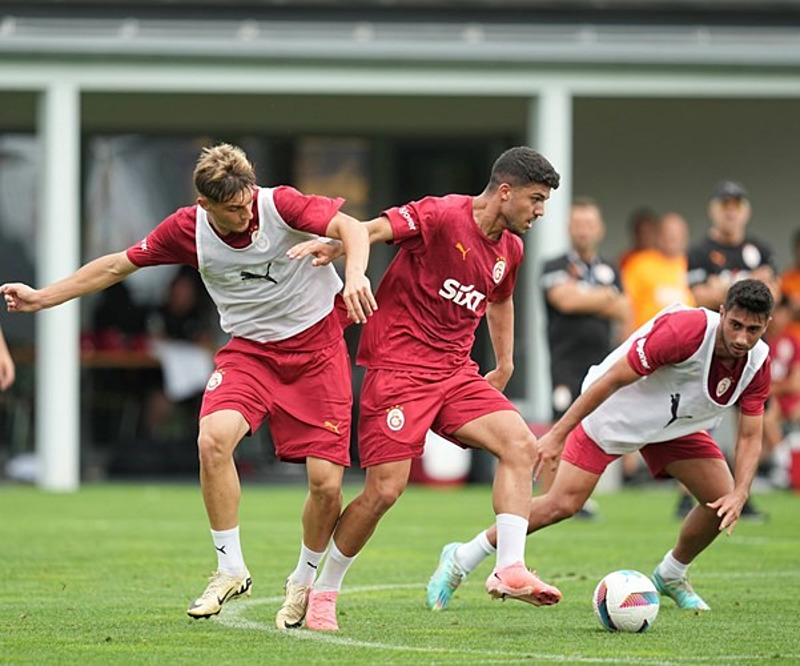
(92, 277)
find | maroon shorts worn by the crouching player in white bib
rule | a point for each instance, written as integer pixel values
(583, 452)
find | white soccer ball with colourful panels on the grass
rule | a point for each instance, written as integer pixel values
(626, 600)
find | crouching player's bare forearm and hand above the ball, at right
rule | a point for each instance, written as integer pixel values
(745, 463)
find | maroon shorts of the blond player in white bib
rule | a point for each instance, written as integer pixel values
(307, 397)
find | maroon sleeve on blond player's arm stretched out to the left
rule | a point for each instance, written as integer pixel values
(171, 242)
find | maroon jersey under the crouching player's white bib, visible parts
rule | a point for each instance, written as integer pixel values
(676, 336)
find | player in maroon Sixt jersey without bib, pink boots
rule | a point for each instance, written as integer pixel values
(458, 260)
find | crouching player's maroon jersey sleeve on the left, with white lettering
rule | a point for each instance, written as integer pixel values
(673, 338)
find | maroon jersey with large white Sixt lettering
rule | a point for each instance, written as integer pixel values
(436, 289)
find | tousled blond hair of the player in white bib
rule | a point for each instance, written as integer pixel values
(222, 172)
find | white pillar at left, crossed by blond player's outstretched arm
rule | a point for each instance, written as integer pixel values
(58, 255)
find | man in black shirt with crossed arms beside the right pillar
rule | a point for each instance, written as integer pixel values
(584, 298)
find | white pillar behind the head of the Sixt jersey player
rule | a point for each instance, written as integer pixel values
(549, 132)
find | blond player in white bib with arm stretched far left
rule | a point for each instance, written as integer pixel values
(286, 358)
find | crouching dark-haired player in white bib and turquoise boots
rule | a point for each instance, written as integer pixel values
(658, 393)
